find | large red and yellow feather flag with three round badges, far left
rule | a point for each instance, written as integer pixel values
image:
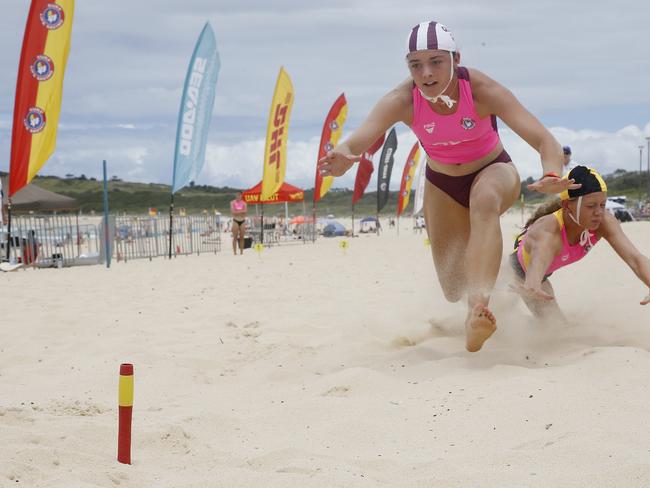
(39, 88)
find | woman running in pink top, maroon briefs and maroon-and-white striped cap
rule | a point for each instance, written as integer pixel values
(471, 180)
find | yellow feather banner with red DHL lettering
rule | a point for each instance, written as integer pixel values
(275, 151)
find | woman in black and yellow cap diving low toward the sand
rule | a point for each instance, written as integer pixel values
(563, 232)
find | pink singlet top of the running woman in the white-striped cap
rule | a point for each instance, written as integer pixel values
(461, 137)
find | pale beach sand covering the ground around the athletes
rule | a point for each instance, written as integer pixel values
(311, 367)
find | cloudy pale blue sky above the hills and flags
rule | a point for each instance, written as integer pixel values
(581, 67)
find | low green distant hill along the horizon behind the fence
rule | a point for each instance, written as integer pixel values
(137, 198)
